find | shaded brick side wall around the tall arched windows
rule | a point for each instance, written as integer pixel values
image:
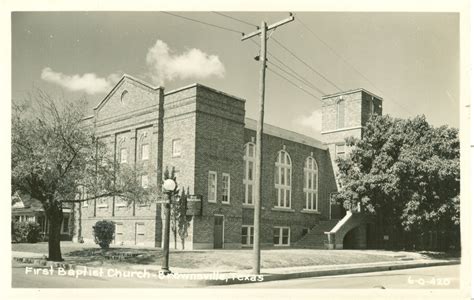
(296, 218)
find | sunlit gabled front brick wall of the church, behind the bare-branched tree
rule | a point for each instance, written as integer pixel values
(128, 118)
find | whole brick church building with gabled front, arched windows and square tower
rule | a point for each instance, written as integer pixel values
(204, 135)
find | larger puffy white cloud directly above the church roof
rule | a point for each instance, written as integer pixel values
(193, 63)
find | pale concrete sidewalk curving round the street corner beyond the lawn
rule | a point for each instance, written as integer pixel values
(203, 277)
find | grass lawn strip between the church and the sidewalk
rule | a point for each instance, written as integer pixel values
(216, 260)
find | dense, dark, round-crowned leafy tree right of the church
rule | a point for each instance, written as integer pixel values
(405, 172)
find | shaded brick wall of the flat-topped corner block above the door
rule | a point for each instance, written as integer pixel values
(219, 148)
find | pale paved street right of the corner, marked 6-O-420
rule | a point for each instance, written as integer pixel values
(441, 277)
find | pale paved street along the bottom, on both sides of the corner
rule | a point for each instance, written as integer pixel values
(431, 277)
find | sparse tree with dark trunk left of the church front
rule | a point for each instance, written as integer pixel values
(55, 154)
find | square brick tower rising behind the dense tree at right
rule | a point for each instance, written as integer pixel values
(344, 115)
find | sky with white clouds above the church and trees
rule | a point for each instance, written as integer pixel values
(411, 60)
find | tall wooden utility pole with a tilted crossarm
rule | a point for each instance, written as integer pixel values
(258, 157)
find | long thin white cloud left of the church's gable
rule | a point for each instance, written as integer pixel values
(88, 82)
